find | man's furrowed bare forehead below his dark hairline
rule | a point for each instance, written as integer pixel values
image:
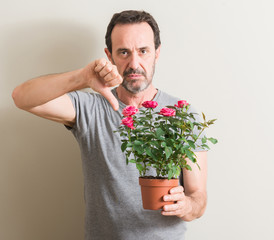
(126, 35)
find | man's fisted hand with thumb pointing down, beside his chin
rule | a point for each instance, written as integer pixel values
(101, 75)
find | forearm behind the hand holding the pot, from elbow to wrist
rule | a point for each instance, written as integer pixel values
(197, 204)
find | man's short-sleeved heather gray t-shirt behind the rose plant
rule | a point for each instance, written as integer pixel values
(112, 193)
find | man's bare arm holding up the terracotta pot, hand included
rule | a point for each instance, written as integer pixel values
(192, 198)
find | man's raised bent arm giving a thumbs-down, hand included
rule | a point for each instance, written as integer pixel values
(46, 96)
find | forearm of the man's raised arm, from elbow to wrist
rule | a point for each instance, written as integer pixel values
(42, 89)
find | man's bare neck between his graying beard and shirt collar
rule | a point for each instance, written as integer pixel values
(136, 99)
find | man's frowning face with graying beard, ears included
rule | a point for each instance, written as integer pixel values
(133, 52)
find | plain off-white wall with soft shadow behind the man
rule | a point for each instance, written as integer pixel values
(217, 54)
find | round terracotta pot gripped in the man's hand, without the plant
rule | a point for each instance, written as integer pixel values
(153, 191)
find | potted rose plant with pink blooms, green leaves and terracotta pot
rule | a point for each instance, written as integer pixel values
(164, 141)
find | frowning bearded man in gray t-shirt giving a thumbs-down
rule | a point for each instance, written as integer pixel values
(113, 204)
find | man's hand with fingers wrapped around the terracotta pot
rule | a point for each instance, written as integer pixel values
(182, 205)
